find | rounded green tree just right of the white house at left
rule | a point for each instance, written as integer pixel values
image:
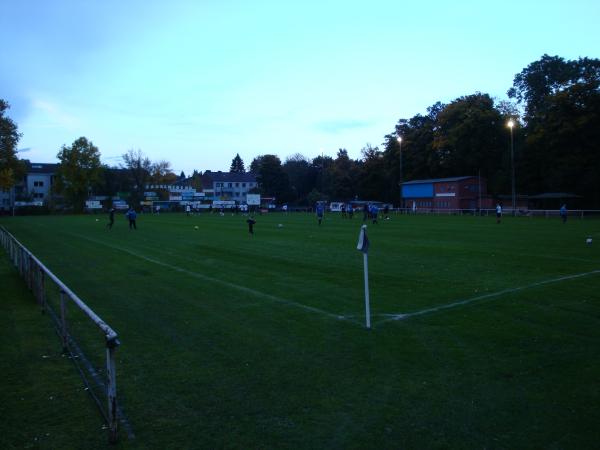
(78, 171)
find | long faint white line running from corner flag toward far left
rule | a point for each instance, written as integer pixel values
(243, 289)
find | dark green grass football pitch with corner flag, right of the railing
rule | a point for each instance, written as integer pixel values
(484, 335)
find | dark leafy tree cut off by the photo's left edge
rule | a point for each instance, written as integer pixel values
(12, 168)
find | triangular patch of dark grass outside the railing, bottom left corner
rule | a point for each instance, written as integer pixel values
(42, 400)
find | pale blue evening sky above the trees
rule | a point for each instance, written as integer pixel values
(197, 82)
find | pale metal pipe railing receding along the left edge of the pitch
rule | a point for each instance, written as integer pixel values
(36, 275)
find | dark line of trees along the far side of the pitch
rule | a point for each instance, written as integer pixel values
(554, 103)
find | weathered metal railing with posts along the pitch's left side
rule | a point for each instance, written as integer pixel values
(73, 314)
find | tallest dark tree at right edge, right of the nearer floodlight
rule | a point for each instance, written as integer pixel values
(562, 112)
